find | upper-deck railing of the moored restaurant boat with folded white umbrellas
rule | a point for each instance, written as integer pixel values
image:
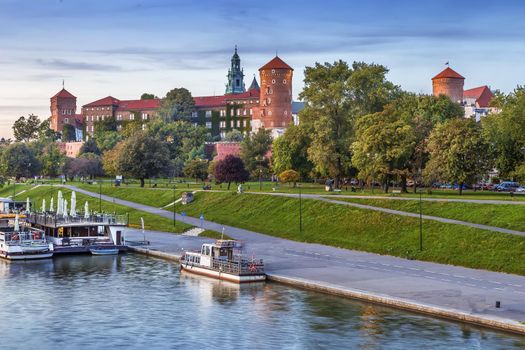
(51, 219)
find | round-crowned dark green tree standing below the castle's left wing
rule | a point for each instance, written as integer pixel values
(143, 156)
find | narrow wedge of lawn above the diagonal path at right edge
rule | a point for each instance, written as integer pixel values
(499, 215)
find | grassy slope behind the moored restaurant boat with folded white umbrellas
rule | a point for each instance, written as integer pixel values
(151, 222)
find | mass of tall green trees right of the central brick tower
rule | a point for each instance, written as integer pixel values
(357, 124)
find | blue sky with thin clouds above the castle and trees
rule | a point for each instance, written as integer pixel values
(123, 48)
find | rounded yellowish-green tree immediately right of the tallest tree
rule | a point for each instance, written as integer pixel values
(383, 145)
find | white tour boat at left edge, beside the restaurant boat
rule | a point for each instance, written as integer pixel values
(24, 244)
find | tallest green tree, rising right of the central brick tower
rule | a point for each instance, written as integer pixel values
(335, 95)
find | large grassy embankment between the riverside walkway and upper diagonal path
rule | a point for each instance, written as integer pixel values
(353, 228)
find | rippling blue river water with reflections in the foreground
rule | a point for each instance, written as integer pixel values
(135, 302)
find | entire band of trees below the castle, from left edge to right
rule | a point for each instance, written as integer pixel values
(355, 124)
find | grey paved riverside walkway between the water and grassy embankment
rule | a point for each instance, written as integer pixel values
(443, 290)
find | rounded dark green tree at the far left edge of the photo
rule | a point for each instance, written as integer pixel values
(18, 160)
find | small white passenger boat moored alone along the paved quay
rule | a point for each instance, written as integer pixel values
(223, 260)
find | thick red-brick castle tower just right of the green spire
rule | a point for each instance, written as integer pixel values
(275, 103)
